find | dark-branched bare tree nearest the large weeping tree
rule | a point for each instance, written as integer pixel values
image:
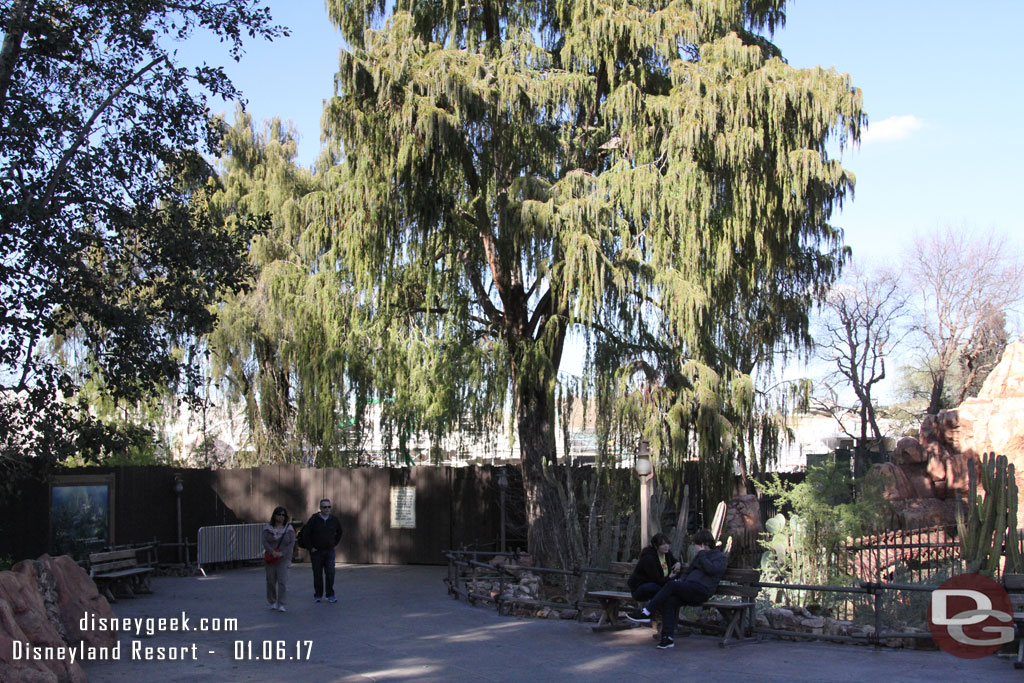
(862, 324)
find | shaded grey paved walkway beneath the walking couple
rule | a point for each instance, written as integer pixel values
(398, 623)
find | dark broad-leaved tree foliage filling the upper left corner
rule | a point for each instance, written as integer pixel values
(106, 232)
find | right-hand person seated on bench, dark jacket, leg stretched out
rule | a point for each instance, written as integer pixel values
(699, 584)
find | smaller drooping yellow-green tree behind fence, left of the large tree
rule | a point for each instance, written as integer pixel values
(268, 343)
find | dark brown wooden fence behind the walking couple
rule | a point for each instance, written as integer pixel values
(454, 507)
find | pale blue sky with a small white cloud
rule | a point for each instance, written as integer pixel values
(942, 84)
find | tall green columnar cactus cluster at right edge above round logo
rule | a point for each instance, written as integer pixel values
(991, 523)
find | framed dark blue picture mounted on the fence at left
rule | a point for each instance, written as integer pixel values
(81, 514)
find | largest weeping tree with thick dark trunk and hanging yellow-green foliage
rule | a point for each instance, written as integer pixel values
(649, 175)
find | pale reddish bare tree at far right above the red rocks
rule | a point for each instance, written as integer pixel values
(965, 282)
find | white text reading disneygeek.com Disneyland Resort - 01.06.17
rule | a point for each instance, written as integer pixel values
(241, 651)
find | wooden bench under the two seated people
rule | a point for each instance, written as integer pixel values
(734, 600)
